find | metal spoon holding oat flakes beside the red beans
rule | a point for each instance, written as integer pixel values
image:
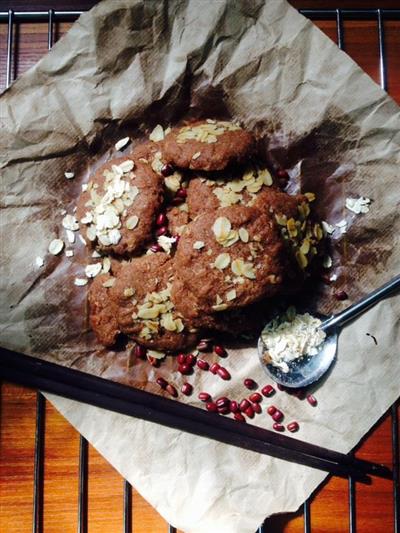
(308, 369)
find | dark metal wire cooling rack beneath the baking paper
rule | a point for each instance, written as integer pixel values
(51, 17)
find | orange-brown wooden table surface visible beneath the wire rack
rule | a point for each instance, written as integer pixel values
(329, 508)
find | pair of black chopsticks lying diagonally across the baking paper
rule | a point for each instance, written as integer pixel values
(104, 393)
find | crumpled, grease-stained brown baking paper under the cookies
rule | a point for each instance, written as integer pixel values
(124, 67)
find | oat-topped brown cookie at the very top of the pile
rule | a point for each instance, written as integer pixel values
(207, 145)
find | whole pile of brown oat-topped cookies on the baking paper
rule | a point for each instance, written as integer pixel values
(199, 234)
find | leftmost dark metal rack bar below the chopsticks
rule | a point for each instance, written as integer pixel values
(37, 525)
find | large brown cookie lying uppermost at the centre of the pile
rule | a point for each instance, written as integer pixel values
(227, 259)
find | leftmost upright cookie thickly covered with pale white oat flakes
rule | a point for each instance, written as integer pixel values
(116, 211)
